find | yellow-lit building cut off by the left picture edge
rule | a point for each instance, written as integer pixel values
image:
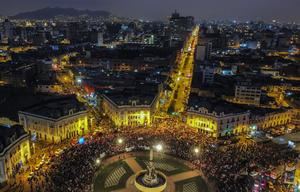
(14, 150)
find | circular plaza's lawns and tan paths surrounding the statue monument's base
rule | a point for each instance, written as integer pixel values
(118, 173)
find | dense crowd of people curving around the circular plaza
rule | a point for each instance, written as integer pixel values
(227, 167)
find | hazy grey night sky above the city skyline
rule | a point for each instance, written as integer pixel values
(282, 10)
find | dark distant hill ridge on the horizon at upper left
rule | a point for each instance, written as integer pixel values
(49, 13)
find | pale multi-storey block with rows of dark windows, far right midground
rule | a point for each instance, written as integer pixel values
(247, 93)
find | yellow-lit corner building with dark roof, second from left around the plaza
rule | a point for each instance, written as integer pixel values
(55, 120)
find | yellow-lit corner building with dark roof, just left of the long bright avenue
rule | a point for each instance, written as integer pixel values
(126, 109)
